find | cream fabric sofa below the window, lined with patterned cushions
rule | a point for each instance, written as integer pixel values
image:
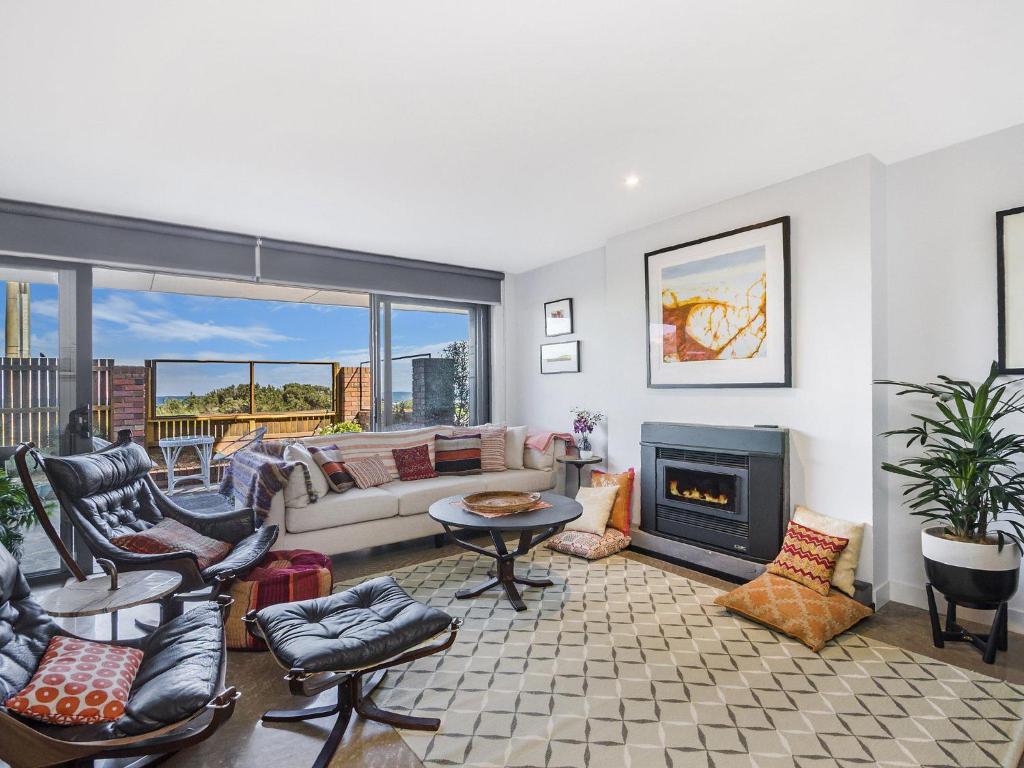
(396, 511)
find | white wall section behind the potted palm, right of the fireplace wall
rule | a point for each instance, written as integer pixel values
(942, 294)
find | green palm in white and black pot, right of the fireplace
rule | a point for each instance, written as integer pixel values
(965, 483)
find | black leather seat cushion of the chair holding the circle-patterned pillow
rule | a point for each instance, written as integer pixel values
(181, 673)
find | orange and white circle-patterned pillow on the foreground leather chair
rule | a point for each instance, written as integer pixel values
(78, 682)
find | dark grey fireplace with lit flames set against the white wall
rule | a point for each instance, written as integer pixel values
(722, 489)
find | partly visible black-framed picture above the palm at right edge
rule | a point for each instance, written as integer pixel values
(1010, 271)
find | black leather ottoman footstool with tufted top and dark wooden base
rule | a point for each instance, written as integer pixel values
(348, 642)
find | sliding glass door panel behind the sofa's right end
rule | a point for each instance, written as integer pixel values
(432, 364)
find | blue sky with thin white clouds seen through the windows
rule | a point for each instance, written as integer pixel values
(133, 326)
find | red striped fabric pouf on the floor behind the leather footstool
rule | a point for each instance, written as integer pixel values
(284, 577)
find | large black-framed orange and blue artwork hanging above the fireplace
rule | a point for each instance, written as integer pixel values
(718, 311)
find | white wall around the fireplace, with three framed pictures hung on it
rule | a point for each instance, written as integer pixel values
(829, 410)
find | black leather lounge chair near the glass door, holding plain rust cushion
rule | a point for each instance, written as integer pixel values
(110, 493)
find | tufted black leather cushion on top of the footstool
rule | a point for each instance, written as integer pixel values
(351, 630)
